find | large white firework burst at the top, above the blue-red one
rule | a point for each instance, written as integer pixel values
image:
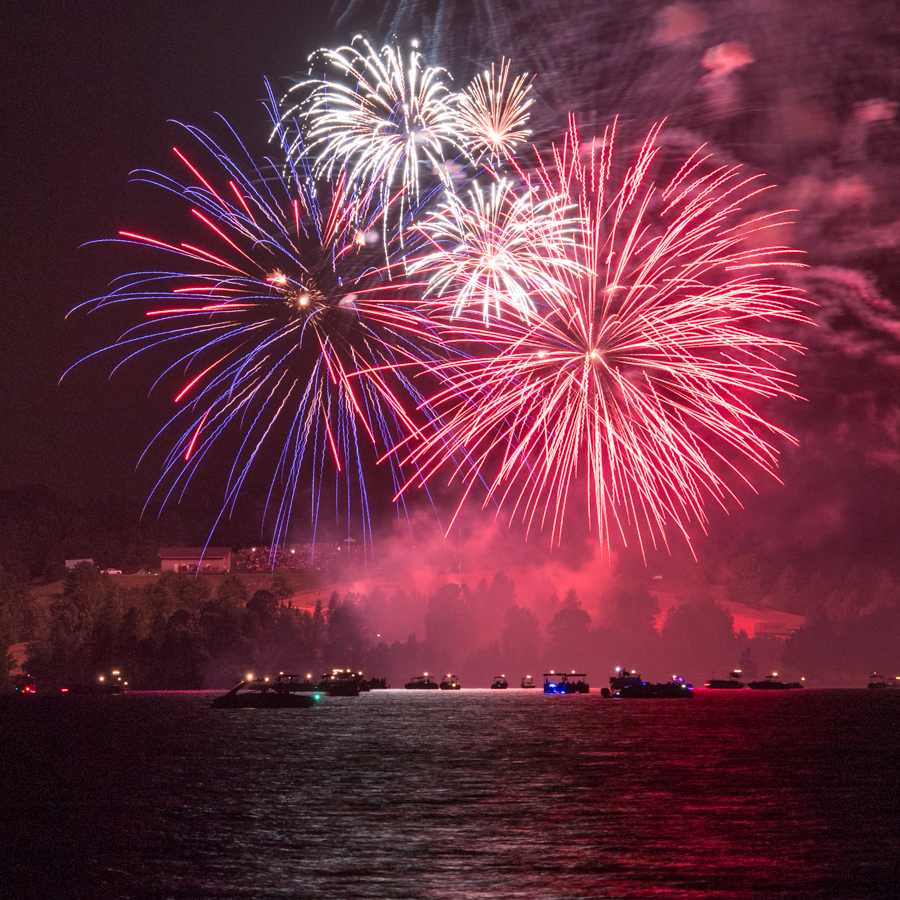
(391, 125)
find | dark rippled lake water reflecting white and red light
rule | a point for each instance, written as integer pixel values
(468, 795)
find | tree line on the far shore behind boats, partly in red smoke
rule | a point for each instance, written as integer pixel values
(185, 632)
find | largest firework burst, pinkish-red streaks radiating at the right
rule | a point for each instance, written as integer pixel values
(637, 381)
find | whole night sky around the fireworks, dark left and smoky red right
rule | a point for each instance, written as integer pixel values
(89, 90)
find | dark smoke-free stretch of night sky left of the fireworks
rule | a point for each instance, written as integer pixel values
(88, 91)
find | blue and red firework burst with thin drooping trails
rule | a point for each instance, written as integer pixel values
(275, 321)
